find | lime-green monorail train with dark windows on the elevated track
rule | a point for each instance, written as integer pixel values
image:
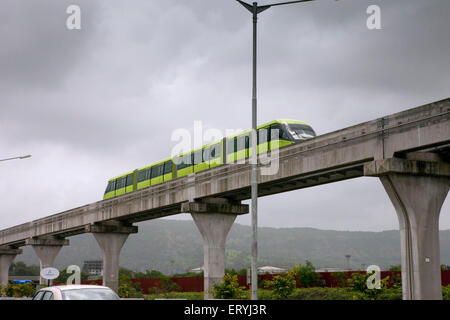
(224, 151)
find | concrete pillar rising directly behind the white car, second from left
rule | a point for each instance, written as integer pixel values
(46, 249)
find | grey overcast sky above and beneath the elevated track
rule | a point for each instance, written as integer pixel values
(93, 103)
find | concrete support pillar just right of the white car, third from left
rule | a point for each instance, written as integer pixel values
(111, 237)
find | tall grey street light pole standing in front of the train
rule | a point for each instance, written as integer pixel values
(255, 10)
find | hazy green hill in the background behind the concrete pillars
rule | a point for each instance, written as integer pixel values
(175, 246)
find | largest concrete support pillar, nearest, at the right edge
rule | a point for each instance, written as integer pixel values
(417, 190)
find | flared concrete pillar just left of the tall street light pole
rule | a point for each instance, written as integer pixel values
(214, 220)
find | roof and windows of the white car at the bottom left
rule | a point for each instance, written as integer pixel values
(76, 292)
